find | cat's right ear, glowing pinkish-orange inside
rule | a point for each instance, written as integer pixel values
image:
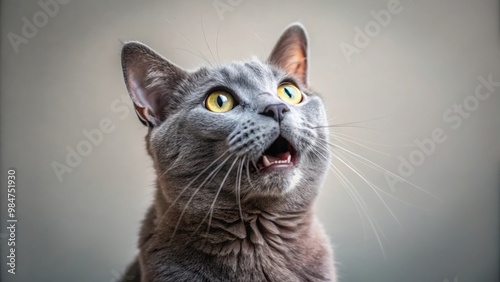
(290, 53)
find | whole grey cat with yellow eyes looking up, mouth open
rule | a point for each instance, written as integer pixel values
(240, 153)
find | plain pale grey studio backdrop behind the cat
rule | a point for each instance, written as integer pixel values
(408, 79)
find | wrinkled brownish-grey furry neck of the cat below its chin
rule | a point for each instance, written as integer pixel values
(230, 230)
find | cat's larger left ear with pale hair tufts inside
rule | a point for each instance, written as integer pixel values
(150, 79)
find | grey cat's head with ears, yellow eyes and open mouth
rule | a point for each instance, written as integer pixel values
(248, 129)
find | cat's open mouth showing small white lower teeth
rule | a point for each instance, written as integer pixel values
(280, 154)
